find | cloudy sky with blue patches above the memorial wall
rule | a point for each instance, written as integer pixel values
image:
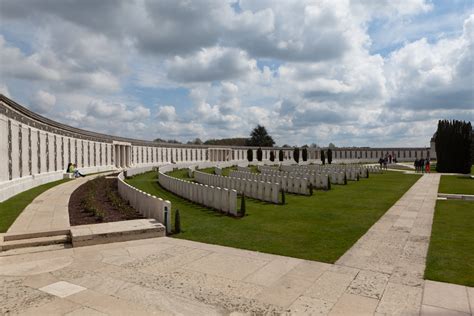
(362, 73)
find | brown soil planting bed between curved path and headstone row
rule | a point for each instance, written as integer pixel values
(98, 201)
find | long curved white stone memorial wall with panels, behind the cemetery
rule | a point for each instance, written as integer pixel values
(35, 150)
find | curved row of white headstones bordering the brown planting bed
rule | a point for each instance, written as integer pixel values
(148, 205)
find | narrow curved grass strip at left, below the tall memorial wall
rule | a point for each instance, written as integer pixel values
(11, 208)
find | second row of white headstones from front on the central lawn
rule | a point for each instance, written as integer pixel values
(265, 191)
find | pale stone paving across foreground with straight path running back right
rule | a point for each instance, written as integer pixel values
(380, 275)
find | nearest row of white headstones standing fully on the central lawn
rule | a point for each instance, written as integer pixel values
(221, 199)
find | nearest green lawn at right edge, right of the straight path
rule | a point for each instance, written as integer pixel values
(451, 253)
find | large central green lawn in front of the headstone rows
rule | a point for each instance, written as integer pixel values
(321, 227)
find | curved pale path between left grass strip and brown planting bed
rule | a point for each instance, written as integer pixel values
(49, 210)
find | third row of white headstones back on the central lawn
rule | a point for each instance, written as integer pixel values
(288, 184)
